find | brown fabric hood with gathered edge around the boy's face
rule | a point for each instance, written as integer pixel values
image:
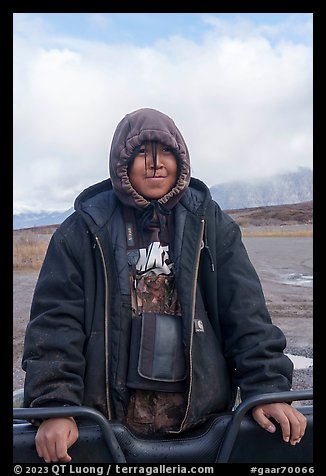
(133, 130)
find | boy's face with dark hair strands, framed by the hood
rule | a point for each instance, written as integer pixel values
(141, 172)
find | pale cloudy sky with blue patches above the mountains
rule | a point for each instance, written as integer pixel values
(238, 86)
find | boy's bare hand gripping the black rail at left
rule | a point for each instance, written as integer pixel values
(54, 437)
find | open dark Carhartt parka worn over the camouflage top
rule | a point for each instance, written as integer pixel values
(77, 342)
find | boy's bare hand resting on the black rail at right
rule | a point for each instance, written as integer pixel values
(293, 423)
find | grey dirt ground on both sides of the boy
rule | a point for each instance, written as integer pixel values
(284, 265)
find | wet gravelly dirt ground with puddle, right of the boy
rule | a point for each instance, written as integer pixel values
(285, 267)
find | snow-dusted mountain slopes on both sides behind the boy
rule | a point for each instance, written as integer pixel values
(294, 187)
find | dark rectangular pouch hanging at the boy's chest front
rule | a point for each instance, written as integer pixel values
(157, 360)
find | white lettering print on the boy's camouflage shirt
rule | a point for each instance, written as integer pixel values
(154, 259)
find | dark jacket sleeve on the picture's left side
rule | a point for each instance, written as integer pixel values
(53, 352)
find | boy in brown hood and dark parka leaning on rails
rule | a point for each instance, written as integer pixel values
(147, 307)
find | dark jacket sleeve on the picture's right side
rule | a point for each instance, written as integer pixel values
(253, 345)
